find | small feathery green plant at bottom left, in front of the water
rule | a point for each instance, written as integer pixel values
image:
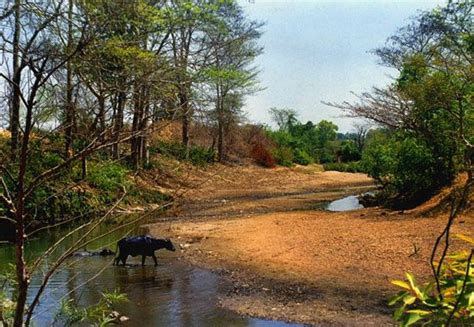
(99, 314)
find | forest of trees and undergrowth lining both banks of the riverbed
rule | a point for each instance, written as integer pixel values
(89, 88)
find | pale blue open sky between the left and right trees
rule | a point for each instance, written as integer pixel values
(320, 51)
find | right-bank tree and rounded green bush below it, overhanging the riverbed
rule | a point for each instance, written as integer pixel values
(429, 105)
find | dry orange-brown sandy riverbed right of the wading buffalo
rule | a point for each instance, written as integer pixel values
(290, 260)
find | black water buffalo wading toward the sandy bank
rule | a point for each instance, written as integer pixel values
(141, 245)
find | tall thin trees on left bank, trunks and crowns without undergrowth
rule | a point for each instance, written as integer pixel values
(109, 70)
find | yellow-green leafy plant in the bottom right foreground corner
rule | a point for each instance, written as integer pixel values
(452, 303)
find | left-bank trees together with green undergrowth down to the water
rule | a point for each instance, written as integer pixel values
(86, 84)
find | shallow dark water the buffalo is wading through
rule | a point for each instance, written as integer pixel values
(172, 294)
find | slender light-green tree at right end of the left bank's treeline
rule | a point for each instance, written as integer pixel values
(233, 48)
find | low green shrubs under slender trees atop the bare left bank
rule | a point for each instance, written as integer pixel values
(198, 155)
